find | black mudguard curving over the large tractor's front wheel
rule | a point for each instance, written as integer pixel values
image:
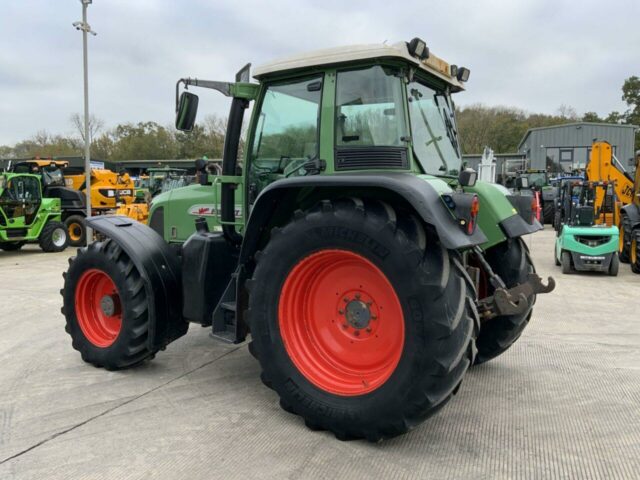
(159, 267)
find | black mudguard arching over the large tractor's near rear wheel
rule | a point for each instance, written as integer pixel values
(424, 198)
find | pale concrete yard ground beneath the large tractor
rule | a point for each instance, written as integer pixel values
(564, 402)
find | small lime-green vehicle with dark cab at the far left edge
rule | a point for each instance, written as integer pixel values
(26, 217)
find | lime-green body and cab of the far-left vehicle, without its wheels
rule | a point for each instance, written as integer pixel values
(28, 215)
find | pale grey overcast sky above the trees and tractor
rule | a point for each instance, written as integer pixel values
(531, 54)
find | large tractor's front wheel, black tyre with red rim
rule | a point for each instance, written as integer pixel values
(106, 307)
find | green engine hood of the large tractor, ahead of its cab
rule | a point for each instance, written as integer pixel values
(182, 206)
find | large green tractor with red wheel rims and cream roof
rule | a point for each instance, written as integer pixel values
(369, 270)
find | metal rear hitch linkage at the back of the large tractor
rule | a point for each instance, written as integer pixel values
(512, 301)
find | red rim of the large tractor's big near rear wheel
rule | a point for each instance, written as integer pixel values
(341, 322)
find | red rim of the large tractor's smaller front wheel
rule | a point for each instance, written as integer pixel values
(98, 308)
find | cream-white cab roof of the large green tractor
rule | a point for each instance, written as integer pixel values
(354, 53)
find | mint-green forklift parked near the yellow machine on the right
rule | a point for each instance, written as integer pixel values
(587, 238)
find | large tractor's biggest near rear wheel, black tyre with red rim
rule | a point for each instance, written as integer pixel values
(362, 322)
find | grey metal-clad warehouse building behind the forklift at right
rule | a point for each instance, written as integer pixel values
(567, 147)
